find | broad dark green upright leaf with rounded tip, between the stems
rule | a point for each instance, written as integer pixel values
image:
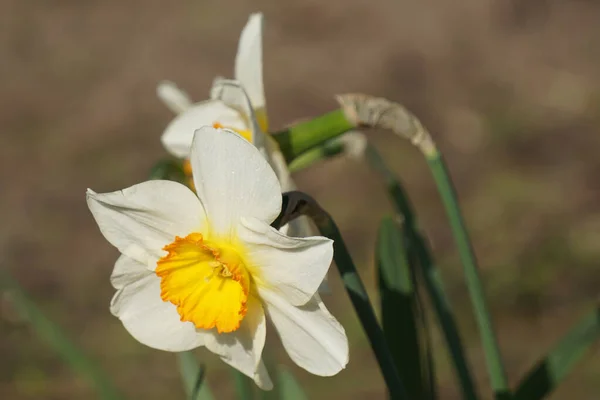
(401, 315)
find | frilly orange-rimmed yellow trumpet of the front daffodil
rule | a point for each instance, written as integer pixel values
(207, 281)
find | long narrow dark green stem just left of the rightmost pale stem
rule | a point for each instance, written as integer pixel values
(431, 277)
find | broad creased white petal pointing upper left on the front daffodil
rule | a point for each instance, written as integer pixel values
(142, 219)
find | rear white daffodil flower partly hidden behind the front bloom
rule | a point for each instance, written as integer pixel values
(234, 104)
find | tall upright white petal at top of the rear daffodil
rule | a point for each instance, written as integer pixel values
(248, 61)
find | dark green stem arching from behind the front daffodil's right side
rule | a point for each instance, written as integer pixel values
(296, 204)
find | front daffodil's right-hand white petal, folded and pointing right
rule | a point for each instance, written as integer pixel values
(293, 267)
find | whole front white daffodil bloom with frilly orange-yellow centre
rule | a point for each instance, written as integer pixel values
(205, 268)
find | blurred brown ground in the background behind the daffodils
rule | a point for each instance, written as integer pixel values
(510, 90)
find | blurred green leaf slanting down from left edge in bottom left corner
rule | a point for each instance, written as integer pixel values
(52, 334)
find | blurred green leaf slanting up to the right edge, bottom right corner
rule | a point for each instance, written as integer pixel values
(553, 368)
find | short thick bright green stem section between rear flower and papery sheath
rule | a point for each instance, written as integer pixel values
(307, 135)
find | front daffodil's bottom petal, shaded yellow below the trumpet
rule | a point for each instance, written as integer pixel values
(242, 349)
